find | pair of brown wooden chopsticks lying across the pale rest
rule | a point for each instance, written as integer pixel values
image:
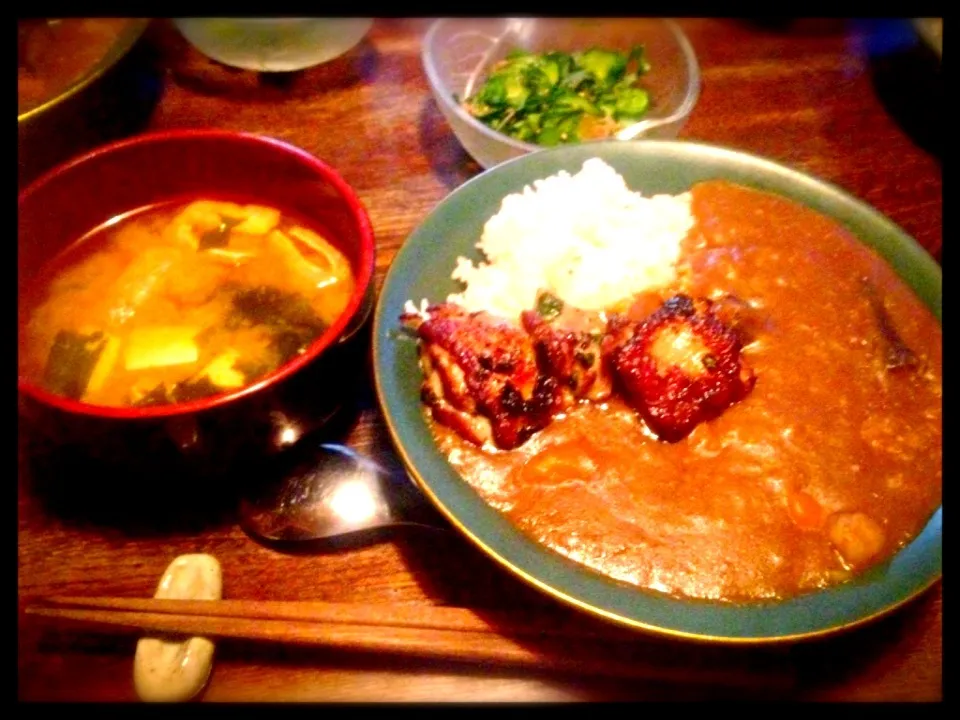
(439, 633)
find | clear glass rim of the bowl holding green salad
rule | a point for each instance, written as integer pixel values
(629, 132)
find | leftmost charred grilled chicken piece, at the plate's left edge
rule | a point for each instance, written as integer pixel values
(481, 376)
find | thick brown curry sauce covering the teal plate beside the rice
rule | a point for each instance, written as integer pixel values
(828, 467)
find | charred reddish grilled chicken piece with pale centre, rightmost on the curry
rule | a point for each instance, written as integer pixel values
(679, 367)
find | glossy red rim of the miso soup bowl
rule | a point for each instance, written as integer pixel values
(363, 270)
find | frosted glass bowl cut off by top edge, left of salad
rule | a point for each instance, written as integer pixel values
(273, 44)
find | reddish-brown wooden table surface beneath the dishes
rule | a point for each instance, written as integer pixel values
(830, 98)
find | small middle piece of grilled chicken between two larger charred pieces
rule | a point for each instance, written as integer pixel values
(567, 343)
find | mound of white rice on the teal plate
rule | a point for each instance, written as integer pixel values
(587, 238)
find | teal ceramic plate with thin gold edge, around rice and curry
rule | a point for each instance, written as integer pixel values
(422, 270)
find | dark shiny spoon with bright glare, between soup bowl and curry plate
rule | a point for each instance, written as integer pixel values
(324, 493)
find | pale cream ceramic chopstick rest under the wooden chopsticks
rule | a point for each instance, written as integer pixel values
(176, 668)
